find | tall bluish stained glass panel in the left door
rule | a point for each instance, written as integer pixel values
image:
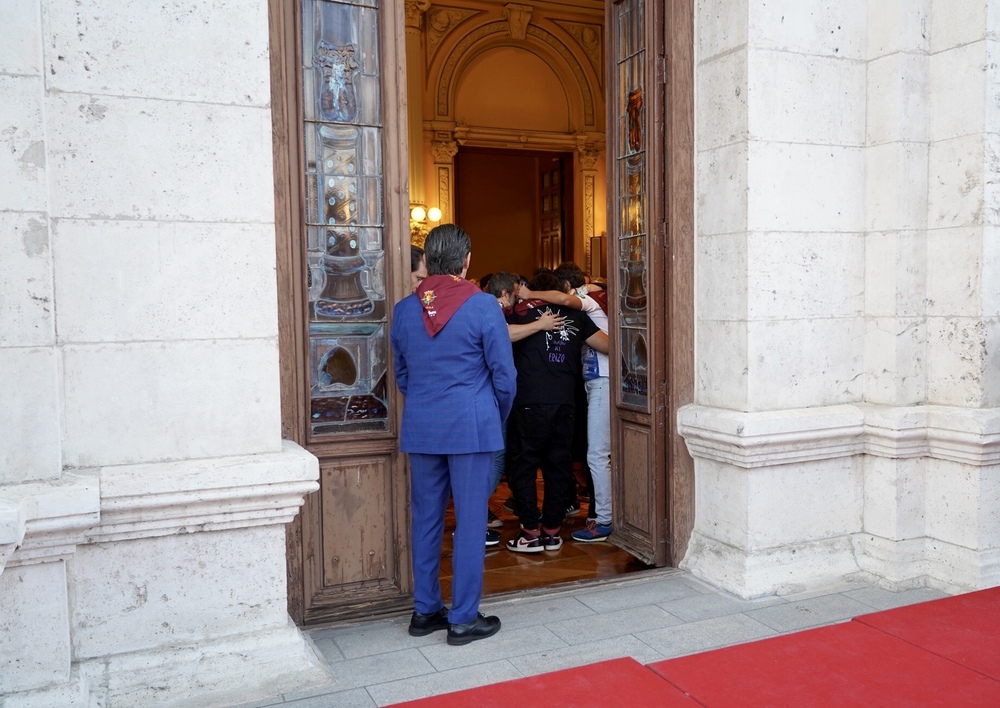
(342, 134)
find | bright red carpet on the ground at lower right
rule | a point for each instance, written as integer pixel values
(940, 653)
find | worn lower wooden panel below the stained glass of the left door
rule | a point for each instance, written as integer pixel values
(357, 532)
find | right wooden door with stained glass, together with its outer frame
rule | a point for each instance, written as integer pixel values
(650, 266)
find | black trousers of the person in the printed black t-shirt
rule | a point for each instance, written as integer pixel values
(542, 436)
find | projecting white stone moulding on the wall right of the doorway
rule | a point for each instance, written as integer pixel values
(750, 440)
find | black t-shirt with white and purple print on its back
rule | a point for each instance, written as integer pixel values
(548, 363)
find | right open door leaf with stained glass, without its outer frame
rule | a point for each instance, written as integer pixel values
(637, 264)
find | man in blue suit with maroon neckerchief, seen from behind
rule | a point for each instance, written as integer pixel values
(454, 364)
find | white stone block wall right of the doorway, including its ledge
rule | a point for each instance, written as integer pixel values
(844, 275)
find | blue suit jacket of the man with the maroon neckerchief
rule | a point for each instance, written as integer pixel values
(460, 384)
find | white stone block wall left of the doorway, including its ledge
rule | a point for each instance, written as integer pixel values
(140, 417)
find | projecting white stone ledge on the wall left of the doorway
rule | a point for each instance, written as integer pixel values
(42, 520)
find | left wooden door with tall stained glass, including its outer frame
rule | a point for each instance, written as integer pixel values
(339, 120)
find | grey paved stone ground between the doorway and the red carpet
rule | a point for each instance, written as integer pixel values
(651, 616)
